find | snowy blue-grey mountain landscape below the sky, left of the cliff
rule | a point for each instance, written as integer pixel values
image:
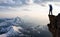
(16, 27)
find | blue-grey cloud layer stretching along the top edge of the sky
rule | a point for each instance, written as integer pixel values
(20, 2)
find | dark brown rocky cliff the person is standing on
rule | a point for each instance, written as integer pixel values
(54, 25)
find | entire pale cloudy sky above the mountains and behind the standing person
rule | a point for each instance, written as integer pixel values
(37, 9)
